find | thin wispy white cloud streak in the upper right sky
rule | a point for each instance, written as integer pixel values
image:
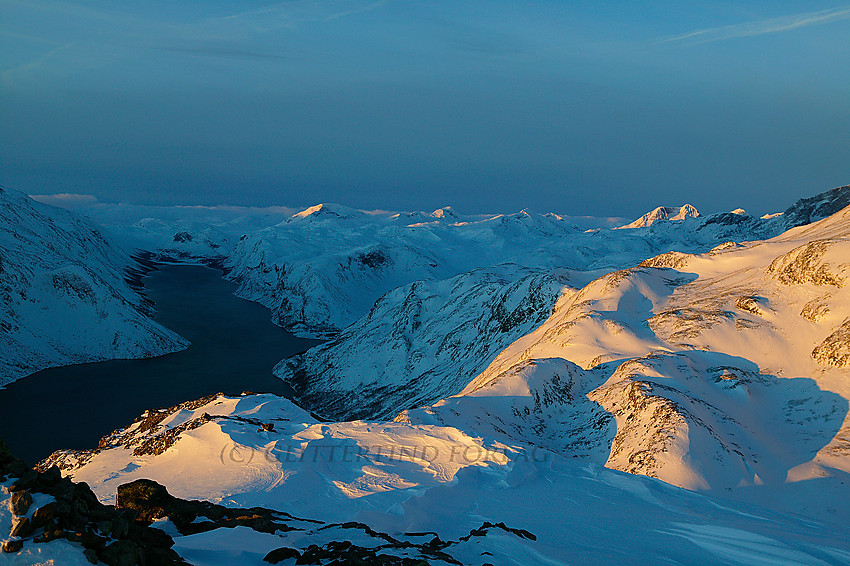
(761, 27)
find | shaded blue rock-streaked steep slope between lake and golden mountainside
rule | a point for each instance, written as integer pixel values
(421, 342)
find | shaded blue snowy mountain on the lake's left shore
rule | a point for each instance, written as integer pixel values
(64, 295)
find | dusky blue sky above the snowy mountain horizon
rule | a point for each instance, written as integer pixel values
(581, 107)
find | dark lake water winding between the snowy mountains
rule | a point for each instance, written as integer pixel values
(234, 348)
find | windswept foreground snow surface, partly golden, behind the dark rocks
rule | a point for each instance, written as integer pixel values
(400, 478)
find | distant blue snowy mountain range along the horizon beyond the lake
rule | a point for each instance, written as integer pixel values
(321, 269)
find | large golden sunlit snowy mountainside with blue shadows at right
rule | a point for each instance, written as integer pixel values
(710, 371)
